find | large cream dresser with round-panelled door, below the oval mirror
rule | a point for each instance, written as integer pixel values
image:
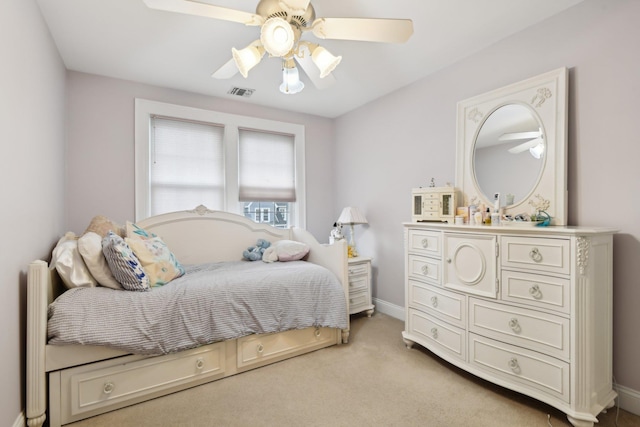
(528, 308)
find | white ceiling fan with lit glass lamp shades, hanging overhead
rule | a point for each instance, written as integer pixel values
(282, 24)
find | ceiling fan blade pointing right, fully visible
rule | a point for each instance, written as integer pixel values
(363, 29)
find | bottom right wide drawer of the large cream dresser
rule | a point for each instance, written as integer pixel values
(531, 370)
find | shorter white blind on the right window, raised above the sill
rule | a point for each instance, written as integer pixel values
(267, 166)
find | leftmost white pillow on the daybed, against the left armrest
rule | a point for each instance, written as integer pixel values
(69, 263)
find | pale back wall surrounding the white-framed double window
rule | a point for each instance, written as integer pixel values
(101, 148)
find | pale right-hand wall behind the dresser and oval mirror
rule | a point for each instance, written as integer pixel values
(409, 136)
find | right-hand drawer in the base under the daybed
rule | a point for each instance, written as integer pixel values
(254, 350)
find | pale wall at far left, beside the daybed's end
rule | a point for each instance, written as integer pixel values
(32, 175)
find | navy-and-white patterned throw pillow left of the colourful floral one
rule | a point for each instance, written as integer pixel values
(124, 264)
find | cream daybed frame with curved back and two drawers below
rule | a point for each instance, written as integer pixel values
(74, 382)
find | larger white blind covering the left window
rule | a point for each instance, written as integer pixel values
(187, 165)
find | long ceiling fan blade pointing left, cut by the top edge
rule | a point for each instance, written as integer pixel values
(189, 7)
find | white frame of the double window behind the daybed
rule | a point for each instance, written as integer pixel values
(145, 109)
